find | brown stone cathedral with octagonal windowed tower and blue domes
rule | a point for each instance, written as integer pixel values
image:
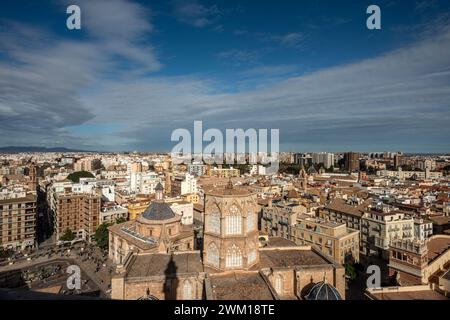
(233, 263)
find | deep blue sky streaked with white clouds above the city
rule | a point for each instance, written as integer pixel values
(138, 70)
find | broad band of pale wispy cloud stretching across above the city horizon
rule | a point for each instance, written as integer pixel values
(52, 89)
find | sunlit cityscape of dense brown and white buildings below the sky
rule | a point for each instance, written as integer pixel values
(140, 227)
